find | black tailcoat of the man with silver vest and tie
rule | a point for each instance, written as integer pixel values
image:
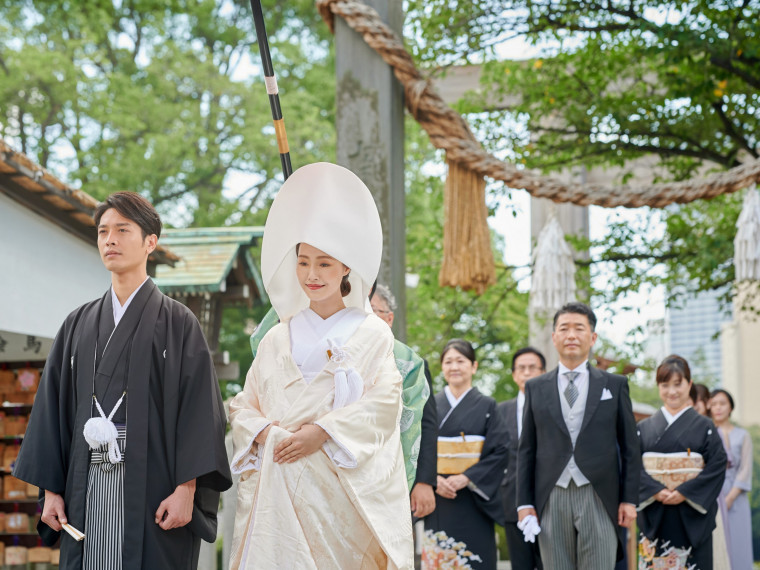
(606, 451)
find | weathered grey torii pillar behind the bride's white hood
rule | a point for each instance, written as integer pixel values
(370, 126)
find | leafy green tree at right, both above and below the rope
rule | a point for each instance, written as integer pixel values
(617, 81)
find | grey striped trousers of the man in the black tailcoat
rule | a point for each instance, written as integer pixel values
(576, 531)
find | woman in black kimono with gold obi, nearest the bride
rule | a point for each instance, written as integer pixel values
(461, 528)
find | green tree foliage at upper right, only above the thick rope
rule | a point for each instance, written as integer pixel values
(619, 79)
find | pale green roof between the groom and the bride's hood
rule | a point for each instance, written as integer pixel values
(207, 255)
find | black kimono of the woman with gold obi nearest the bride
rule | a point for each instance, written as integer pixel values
(467, 520)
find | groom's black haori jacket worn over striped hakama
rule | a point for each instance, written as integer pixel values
(173, 412)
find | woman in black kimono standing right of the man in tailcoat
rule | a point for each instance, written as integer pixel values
(682, 517)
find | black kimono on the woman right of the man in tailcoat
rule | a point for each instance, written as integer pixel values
(689, 524)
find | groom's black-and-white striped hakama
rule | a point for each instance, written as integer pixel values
(104, 519)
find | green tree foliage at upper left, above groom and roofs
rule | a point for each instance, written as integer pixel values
(160, 97)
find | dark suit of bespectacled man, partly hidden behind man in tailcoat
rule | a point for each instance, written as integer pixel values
(523, 555)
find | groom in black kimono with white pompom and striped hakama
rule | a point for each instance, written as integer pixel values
(141, 358)
